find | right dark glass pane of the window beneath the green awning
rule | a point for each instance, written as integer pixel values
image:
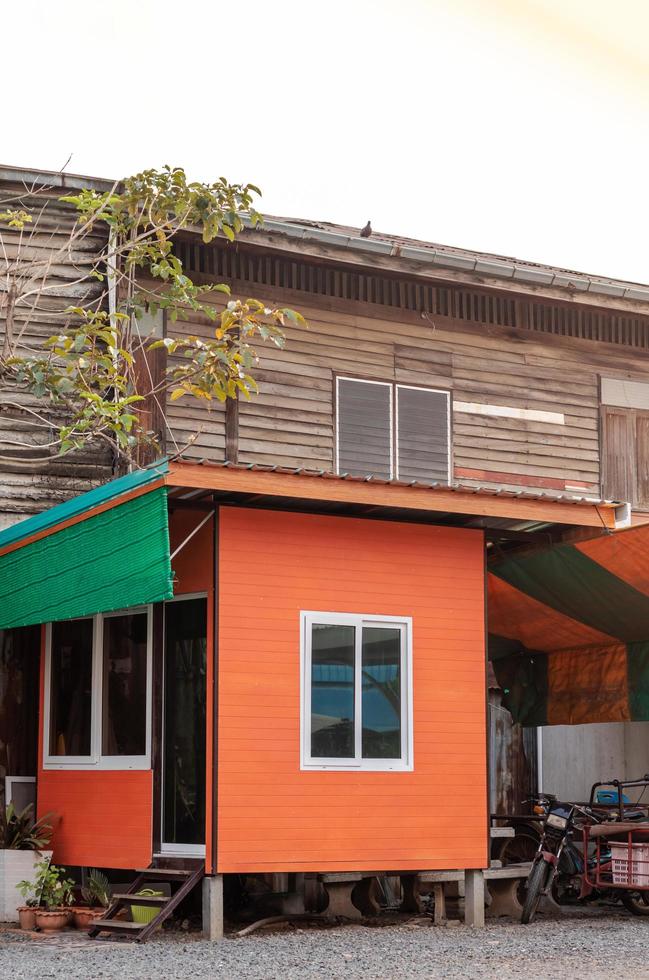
(124, 685)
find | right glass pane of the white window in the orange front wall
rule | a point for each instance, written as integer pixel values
(381, 693)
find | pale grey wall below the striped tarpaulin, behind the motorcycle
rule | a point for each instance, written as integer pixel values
(576, 756)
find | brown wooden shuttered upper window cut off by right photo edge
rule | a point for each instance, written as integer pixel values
(625, 441)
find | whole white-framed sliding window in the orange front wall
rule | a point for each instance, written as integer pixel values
(356, 692)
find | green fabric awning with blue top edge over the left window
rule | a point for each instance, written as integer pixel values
(107, 549)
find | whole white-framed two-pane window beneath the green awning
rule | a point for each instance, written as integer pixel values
(98, 692)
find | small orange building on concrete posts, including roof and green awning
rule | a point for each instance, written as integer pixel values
(264, 672)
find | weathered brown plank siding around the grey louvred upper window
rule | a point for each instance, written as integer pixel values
(291, 421)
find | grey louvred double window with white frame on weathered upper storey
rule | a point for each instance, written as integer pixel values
(392, 430)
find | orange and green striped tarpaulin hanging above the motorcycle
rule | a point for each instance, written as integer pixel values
(569, 630)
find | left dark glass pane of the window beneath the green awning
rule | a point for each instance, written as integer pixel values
(71, 687)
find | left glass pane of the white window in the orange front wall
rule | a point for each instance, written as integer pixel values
(332, 691)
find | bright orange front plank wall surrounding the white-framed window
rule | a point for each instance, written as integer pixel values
(271, 815)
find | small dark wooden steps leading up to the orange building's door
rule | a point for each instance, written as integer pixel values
(180, 881)
